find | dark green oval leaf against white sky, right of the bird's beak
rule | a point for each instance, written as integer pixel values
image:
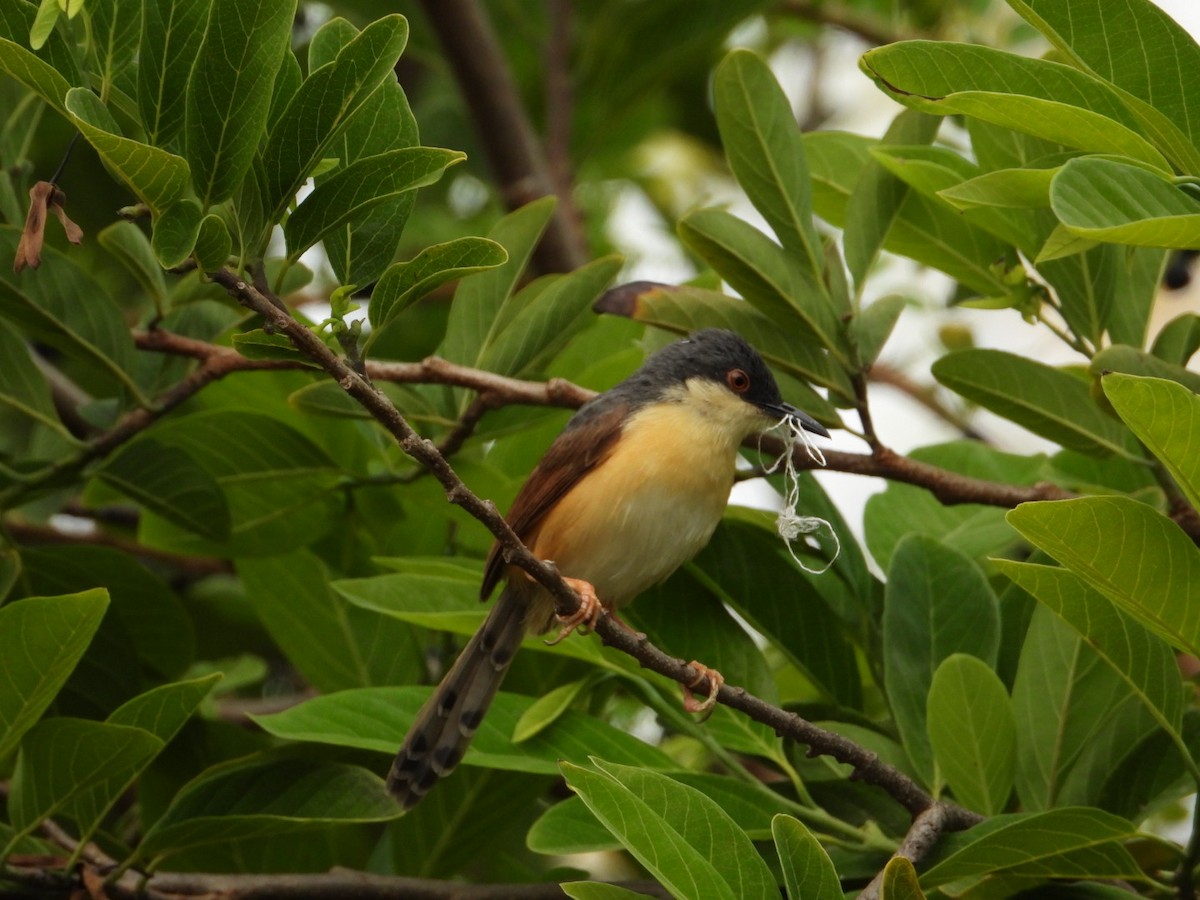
(1045, 400)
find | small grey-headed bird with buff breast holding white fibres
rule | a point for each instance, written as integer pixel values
(633, 488)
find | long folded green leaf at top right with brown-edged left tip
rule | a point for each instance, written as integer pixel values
(1017, 93)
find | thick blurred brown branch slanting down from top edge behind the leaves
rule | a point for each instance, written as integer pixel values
(475, 52)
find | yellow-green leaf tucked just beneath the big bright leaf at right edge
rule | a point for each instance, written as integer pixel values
(1138, 657)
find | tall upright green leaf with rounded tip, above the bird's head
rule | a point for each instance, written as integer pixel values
(764, 147)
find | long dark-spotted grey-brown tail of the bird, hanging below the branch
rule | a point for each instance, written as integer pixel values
(440, 735)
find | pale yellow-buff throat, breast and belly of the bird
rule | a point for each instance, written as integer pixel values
(656, 501)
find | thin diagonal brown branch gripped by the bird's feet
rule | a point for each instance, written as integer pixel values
(867, 765)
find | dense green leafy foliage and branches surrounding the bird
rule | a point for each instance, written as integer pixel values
(213, 674)
